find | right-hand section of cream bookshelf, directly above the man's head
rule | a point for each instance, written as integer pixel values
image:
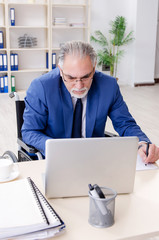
(76, 26)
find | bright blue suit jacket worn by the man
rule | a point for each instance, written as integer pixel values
(49, 110)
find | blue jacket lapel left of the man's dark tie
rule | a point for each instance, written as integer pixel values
(67, 110)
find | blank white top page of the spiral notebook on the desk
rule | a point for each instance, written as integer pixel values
(19, 210)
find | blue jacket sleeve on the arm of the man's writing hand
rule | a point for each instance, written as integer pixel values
(122, 120)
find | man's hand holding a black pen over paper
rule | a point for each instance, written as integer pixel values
(153, 153)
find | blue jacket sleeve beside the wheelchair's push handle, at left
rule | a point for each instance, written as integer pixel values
(35, 117)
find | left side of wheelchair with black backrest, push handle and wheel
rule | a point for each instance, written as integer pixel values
(25, 152)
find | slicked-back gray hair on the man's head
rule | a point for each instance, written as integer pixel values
(77, 48)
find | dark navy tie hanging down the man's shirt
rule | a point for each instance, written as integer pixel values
(77, 120)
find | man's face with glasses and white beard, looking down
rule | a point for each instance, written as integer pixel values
(77, 74)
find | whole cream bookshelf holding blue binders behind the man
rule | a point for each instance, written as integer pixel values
(36, 19)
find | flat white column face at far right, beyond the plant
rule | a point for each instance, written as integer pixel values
(146, 29)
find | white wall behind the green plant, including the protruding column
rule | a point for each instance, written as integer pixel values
(141, 18)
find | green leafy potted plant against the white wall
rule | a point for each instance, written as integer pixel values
(111, 51)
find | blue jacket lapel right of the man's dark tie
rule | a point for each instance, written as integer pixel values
(91, 110)
